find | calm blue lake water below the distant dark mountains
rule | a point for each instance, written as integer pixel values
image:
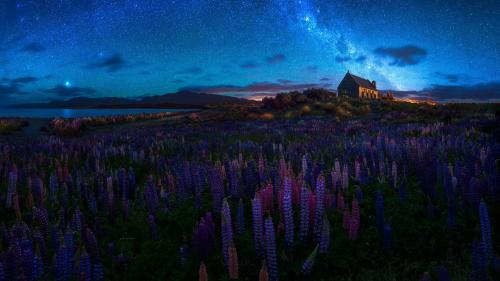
(74, 113)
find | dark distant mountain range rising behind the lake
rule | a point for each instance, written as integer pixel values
(173, 100)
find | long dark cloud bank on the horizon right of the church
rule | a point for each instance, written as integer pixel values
(464, 93)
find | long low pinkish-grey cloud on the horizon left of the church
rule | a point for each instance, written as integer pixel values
(258, 87)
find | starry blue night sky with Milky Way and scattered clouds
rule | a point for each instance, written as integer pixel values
(60, 49)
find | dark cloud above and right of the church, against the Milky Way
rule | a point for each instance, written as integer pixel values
(402, 56)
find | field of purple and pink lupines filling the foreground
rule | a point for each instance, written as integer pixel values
(306, 199)
